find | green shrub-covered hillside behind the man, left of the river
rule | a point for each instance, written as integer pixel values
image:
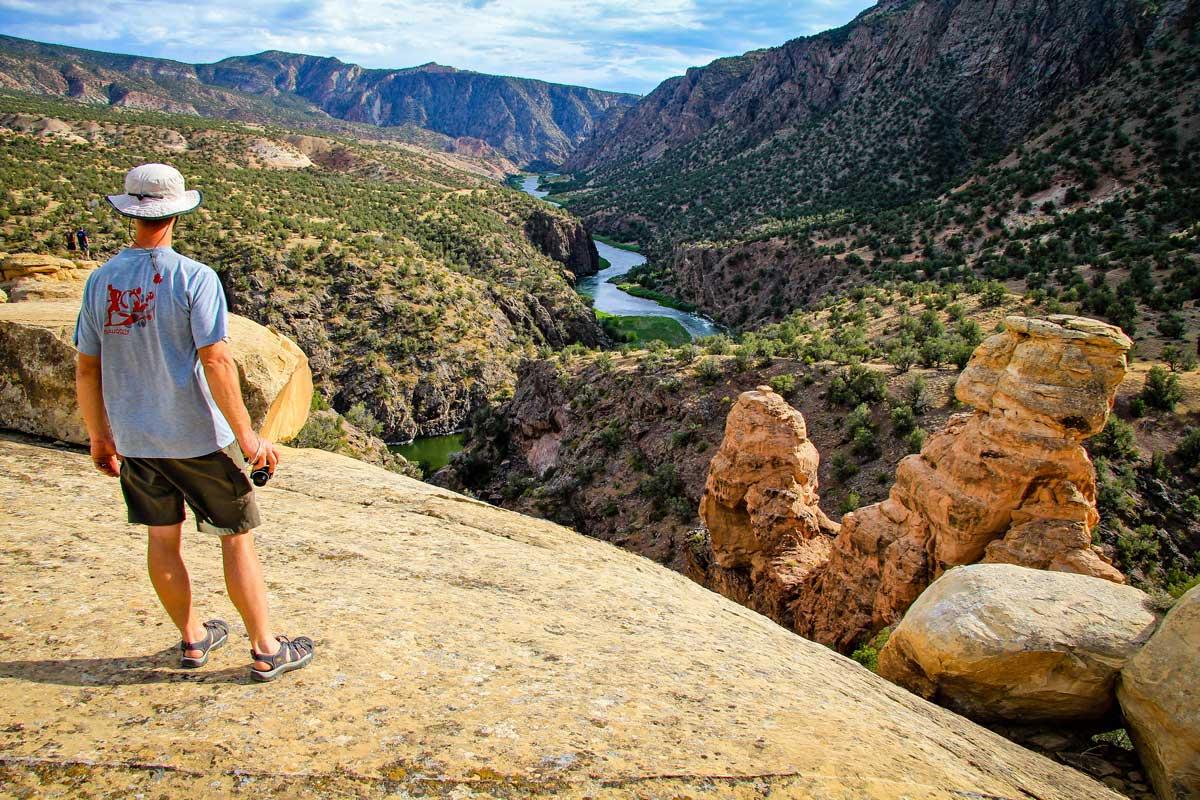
(413, 285)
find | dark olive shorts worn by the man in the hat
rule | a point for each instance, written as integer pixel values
(217, 488)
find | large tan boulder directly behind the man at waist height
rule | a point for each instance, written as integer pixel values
(38, 374)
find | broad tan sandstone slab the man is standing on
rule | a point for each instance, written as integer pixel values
(530, 661)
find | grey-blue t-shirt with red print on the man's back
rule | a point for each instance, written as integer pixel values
(146, 314)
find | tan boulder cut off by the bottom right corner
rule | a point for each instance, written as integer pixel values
(1160, 695)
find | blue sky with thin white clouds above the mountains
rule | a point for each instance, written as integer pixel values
(617, 45)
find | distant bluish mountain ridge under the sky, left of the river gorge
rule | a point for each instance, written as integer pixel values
(532, 123)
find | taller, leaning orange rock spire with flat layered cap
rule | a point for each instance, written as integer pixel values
(1009, 483)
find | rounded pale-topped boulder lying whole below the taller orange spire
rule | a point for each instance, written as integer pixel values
(1003, 642)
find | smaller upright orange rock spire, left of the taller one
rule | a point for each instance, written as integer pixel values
(760, 504)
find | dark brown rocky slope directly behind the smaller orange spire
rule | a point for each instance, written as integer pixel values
(619, 447)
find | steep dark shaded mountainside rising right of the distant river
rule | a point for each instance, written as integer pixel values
(868, 116)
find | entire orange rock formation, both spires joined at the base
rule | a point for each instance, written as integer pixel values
(1007, 483)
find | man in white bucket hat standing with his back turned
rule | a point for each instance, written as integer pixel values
(159, 392)
